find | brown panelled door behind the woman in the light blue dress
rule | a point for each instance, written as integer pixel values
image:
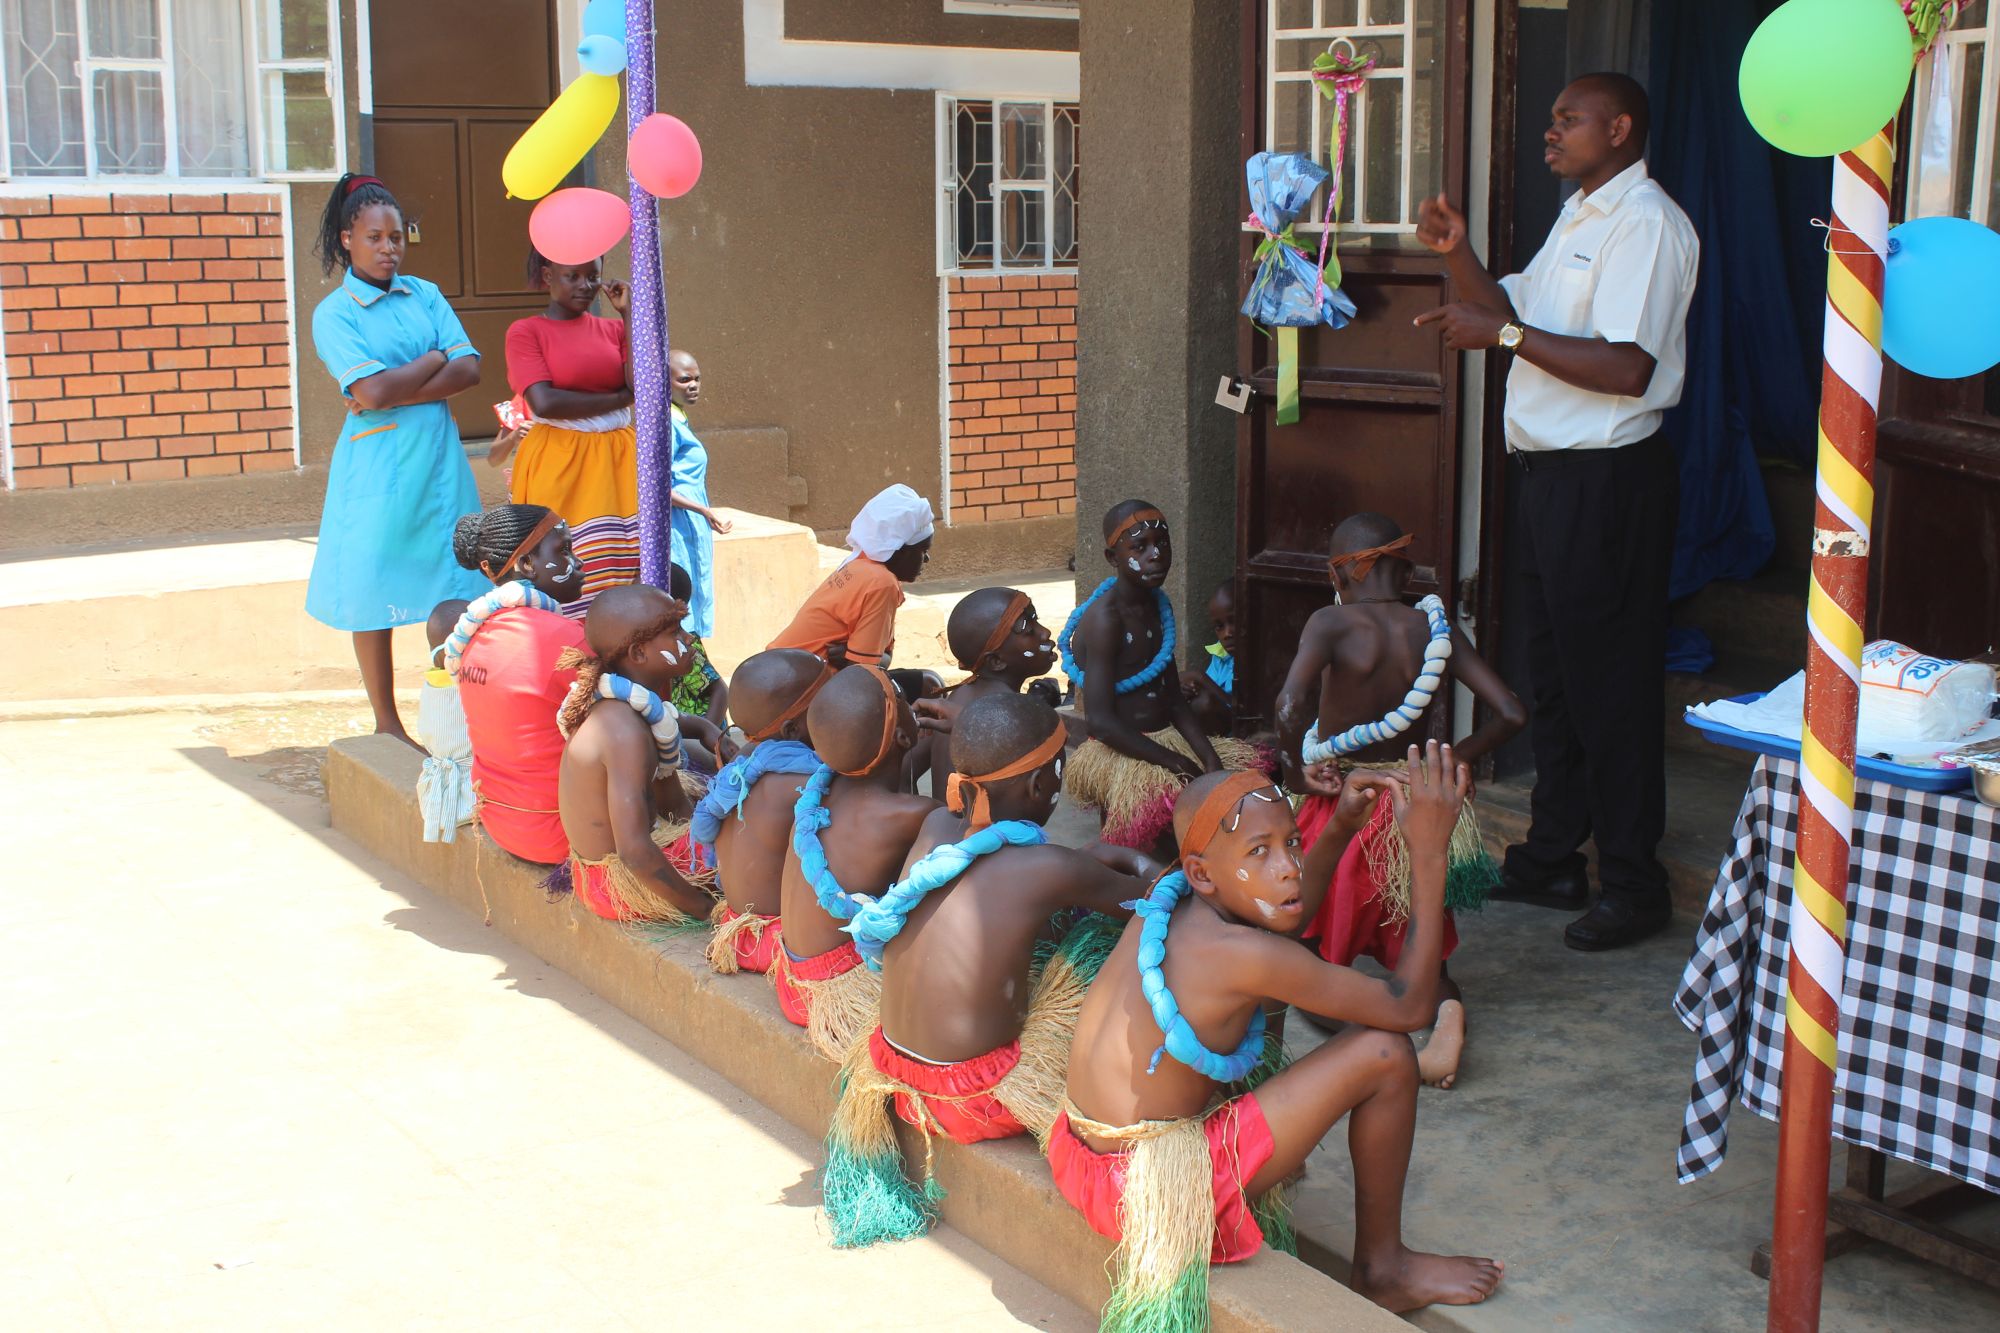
(455, 85)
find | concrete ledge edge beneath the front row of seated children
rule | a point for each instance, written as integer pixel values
(999, 1194)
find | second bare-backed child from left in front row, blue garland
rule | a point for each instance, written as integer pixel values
(745, 822)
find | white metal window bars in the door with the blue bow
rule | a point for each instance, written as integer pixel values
(1357, 151)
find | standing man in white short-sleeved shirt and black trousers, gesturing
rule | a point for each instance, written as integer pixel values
(1599, 335)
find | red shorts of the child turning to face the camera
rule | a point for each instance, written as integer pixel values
(1239, 1146)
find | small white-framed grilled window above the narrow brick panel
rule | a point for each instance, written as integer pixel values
(1009, 185)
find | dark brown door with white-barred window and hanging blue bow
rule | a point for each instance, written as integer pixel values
(1379, 419)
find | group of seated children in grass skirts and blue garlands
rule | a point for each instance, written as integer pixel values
(973, 980)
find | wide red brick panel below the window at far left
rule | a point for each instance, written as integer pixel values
(145, 337)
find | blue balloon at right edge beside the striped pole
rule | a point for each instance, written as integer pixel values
(1941, 297)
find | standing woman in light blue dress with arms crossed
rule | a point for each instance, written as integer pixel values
(399, 479)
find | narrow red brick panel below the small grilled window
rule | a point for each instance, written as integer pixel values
(1011, 353)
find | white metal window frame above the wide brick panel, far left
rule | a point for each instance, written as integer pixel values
(255, 69)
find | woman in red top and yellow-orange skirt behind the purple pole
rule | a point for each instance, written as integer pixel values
(581, 459)
